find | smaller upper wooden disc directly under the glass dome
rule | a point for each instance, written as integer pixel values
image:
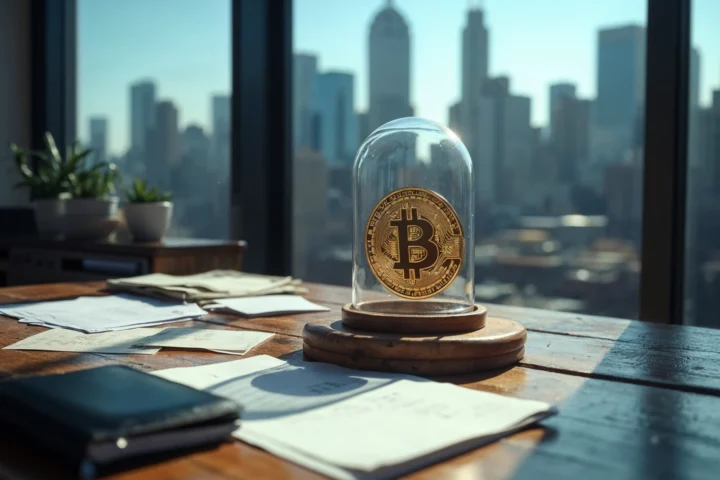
(420, 323)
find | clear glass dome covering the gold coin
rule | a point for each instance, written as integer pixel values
(413, 249)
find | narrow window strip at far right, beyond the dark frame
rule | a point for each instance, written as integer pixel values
(702, 261)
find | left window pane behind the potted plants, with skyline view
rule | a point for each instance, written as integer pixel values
(153, 96)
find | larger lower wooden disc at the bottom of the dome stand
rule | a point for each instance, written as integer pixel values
(499, 344)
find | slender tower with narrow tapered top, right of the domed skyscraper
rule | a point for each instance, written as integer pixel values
(475, 55)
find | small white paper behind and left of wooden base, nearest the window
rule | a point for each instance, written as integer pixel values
(266, 305)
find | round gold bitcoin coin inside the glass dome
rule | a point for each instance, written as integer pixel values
(414, 243)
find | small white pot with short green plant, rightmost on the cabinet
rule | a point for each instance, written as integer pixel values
(148, 212)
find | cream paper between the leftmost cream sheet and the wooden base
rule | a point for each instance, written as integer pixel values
(235, 341)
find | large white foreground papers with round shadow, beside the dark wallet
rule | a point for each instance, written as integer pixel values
(350, 424)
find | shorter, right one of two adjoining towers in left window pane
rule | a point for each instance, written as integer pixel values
(163, 144)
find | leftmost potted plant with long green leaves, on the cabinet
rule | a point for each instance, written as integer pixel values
(48, 178)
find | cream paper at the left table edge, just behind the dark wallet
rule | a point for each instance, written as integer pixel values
(60, 340)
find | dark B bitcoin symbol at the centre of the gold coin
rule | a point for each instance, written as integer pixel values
(416, 252)
